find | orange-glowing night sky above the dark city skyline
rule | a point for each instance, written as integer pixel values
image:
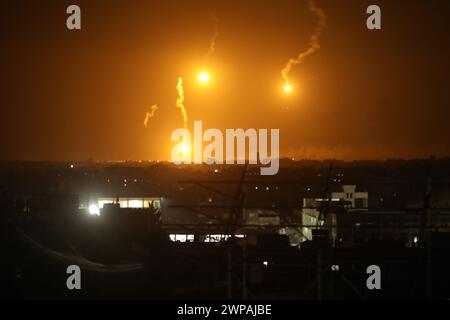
(74, 95)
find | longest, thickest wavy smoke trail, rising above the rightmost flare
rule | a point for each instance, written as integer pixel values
(314, 43)
